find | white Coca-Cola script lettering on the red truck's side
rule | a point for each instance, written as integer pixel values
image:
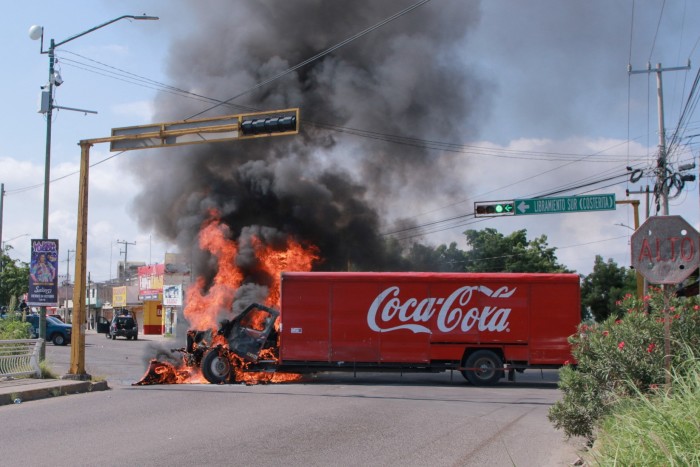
(388, 313)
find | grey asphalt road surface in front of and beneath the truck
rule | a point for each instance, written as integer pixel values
(332, 419)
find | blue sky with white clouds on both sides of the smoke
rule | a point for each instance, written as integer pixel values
(554, 78)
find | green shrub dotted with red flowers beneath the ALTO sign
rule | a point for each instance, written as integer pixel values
(622, 357)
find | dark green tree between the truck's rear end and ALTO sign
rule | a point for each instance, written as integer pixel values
(606, 285)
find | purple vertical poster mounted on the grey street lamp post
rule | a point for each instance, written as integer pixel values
(43, 273)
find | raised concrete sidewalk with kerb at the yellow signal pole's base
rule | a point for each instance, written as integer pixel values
(17, 391)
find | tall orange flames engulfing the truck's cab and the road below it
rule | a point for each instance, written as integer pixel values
(240, 349)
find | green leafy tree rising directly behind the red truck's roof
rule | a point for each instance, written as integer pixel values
(491, 251)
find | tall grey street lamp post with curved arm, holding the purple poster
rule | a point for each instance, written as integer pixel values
(36, 33)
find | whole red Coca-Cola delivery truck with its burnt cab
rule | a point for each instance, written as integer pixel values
(483, 325)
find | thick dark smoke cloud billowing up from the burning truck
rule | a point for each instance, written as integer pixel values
(324, 187)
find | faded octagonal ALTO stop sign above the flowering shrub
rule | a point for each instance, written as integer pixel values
(665, 249)
